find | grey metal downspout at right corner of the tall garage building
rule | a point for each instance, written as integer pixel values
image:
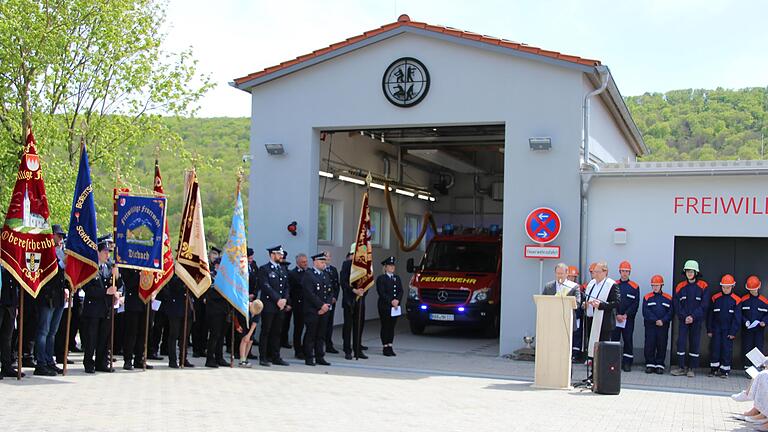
(588, 168)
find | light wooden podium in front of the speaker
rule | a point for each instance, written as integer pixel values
(554, 340)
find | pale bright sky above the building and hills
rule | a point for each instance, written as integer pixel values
(649, 45)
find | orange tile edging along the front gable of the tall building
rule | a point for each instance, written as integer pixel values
(405, 21)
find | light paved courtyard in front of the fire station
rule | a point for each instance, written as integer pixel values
(417, 390)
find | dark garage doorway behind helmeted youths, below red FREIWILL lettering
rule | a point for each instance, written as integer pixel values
(739, 256)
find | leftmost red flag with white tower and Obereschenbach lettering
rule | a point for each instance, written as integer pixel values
(27, 249)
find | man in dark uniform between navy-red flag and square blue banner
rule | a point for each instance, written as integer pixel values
(94, 328)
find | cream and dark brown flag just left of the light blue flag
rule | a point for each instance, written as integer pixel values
(192, 253)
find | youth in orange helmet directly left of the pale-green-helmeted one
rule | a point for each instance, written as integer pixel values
(657, 314)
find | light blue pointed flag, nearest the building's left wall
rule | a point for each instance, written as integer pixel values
(232, 278)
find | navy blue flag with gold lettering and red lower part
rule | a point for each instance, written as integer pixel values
(81, 248)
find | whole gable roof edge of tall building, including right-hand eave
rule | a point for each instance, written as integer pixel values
(611, 97)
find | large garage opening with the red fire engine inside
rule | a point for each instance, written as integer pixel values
(455, 173)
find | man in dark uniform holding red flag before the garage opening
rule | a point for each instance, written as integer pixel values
(353, 302)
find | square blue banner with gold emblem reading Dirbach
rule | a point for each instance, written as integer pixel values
(139, 232)
